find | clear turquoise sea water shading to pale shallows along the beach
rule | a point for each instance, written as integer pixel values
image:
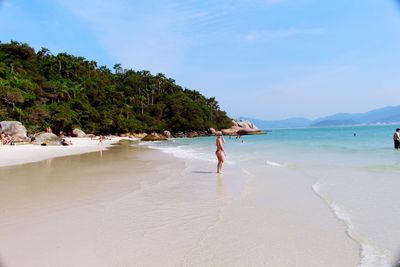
(354, 170)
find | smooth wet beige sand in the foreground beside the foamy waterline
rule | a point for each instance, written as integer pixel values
(133, 206)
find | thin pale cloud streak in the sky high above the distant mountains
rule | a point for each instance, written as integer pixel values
(269, 35)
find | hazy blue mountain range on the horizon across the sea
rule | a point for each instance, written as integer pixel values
(384, 115)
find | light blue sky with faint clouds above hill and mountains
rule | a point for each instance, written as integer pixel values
(264, 59)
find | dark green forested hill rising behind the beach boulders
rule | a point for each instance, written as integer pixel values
(65, 91)
